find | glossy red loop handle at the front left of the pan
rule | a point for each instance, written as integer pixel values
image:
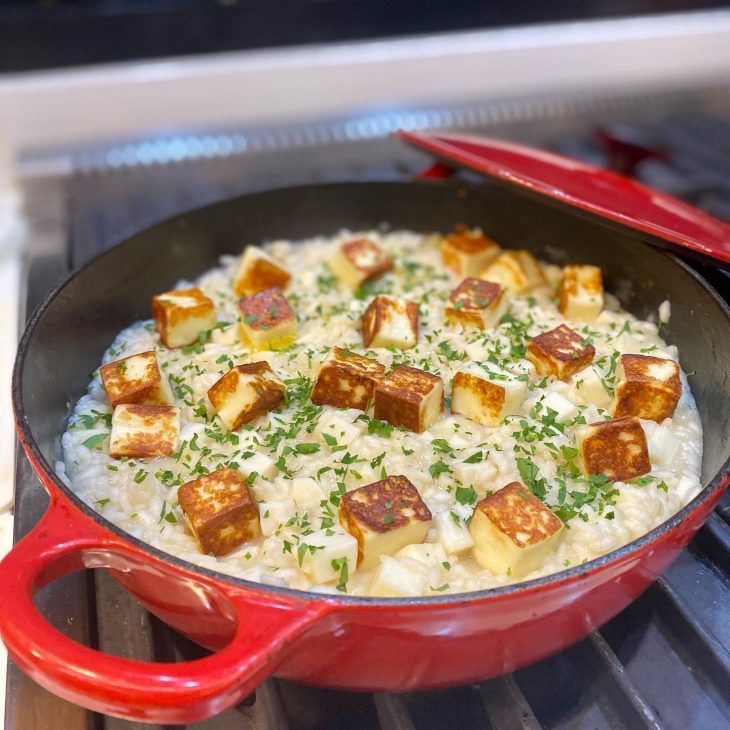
(66, 540)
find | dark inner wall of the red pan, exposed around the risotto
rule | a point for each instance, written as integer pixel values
(67, 337)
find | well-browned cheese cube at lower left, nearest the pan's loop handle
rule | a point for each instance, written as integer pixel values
(220, 510)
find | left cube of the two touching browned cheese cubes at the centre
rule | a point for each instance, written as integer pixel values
(347, 380)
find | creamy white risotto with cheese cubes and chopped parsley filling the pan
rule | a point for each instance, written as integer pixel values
(297, 461)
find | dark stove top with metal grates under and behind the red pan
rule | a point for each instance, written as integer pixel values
(662, 663)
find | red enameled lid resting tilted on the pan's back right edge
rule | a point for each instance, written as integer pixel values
(667, 221)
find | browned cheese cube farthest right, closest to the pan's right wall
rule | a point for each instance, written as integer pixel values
(647, 387)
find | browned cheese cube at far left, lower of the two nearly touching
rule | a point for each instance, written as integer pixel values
(142, 432)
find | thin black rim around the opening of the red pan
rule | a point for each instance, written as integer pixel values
(344, 601)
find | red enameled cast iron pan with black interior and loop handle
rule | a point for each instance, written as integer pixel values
(335, 641)
